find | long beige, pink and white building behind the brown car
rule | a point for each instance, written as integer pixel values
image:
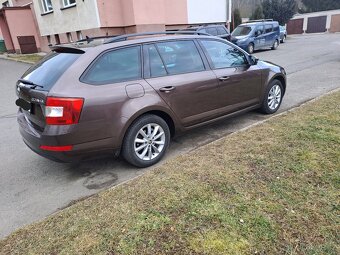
(62, 21)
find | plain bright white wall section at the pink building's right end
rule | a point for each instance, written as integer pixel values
(207, 11)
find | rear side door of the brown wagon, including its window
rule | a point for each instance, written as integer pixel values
(180, 77)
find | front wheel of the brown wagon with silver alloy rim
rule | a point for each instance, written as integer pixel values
(272, 97)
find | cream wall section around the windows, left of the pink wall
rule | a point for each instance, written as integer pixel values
(83, 16)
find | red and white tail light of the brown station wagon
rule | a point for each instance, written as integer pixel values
(63, 110)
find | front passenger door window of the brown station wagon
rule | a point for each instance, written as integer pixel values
(223, 55)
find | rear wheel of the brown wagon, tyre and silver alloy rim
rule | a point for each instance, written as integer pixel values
(143, 146)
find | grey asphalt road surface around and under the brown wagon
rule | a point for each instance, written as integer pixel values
(32, 187)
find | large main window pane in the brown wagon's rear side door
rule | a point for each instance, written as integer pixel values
(180, 57)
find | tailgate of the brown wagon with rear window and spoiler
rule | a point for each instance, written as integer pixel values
(34, 86)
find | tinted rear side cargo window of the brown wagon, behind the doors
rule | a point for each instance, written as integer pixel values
(115, 66)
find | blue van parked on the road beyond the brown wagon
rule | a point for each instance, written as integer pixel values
(256, 35)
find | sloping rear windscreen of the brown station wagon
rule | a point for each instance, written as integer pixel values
(49, 69)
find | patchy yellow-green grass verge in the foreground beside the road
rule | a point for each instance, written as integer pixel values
(273, 189)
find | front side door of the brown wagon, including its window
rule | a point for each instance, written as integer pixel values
(240, 84)
